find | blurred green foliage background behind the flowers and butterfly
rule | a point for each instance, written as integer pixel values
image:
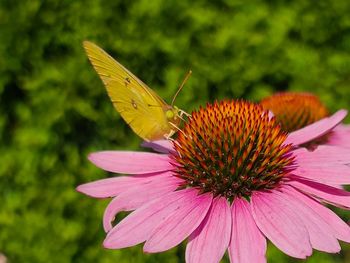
(54, 109)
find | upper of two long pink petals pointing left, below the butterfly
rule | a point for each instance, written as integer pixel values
(130, 162)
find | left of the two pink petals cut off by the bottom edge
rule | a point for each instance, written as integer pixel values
(210, 240)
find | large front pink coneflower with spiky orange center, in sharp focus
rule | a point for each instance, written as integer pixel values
(231, 179)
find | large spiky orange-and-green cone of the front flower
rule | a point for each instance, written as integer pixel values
(231, 149)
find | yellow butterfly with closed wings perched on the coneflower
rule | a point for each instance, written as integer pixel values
(148, 115)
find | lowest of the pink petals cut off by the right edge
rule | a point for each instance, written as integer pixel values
(341, 230)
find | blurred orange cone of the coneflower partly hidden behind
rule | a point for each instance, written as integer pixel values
(295, 110)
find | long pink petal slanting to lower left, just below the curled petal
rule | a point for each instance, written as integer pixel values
(139, 225)
